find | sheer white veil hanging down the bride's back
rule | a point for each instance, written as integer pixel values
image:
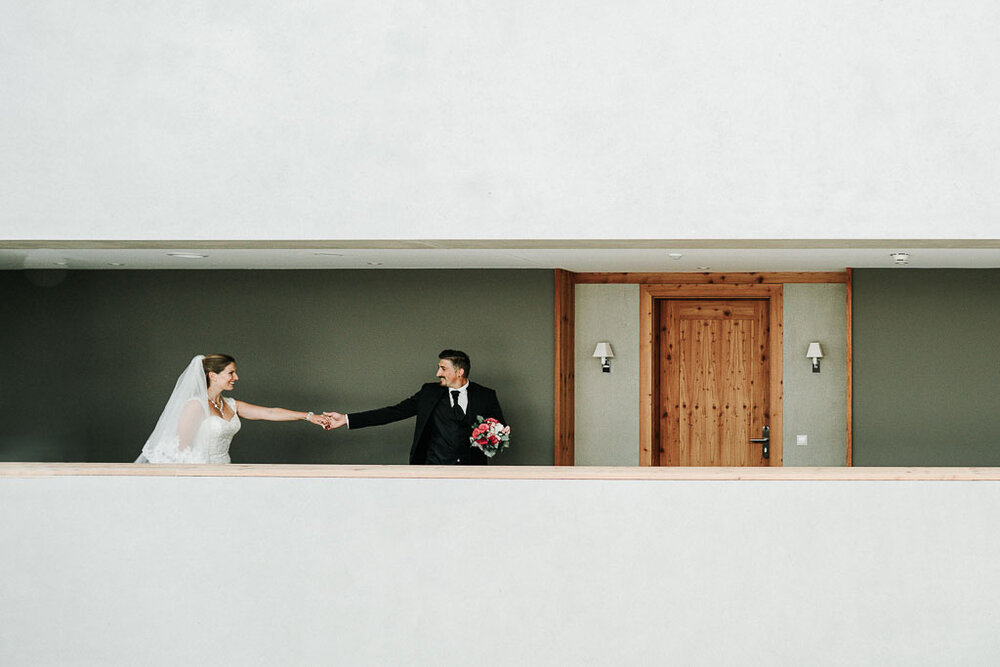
(175, 438)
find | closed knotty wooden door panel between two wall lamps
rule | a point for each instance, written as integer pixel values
(713, 381)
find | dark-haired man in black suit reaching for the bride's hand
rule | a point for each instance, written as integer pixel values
(446, 413)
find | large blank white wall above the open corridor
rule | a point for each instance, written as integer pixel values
(360, 120)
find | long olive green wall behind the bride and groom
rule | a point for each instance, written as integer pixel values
(88, 358)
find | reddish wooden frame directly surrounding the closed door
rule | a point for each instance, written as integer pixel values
(649, 294)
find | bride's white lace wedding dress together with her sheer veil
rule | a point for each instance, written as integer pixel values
(188, 431)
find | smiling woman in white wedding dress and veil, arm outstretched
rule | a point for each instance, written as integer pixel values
(198, 422)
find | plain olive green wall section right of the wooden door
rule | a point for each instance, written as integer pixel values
(926, 381)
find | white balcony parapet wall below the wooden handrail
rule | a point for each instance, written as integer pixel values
(166, 571)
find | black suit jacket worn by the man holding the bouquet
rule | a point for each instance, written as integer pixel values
(482, 403)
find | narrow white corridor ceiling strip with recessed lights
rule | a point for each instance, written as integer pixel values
(587, 256)
